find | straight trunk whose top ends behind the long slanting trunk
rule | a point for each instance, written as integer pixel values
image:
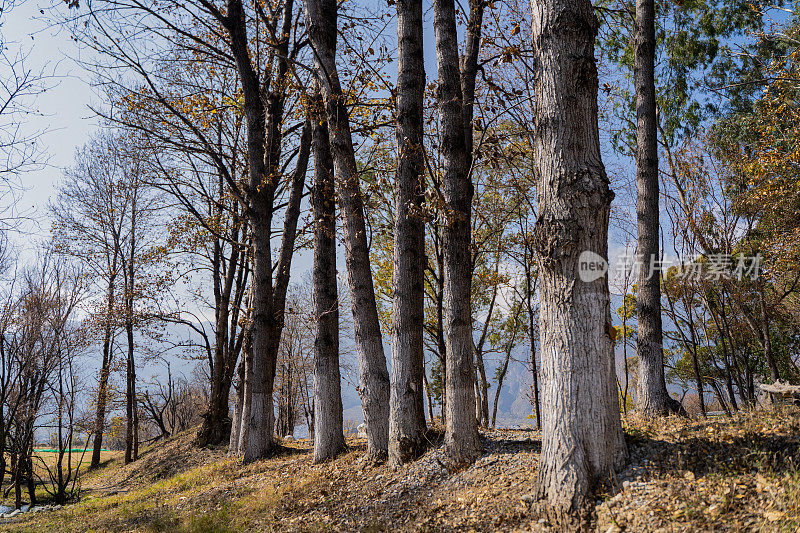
(328, 425)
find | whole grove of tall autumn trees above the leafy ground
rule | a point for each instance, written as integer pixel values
(473, 168)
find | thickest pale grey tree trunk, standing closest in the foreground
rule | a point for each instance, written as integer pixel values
(582, 440)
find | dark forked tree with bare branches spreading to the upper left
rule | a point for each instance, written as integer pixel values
(220, 34)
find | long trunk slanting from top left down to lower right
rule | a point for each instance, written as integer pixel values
(373, 376)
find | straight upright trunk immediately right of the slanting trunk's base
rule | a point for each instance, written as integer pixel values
(406, 412)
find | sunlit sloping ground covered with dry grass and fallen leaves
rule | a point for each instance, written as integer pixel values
(720, 474)
